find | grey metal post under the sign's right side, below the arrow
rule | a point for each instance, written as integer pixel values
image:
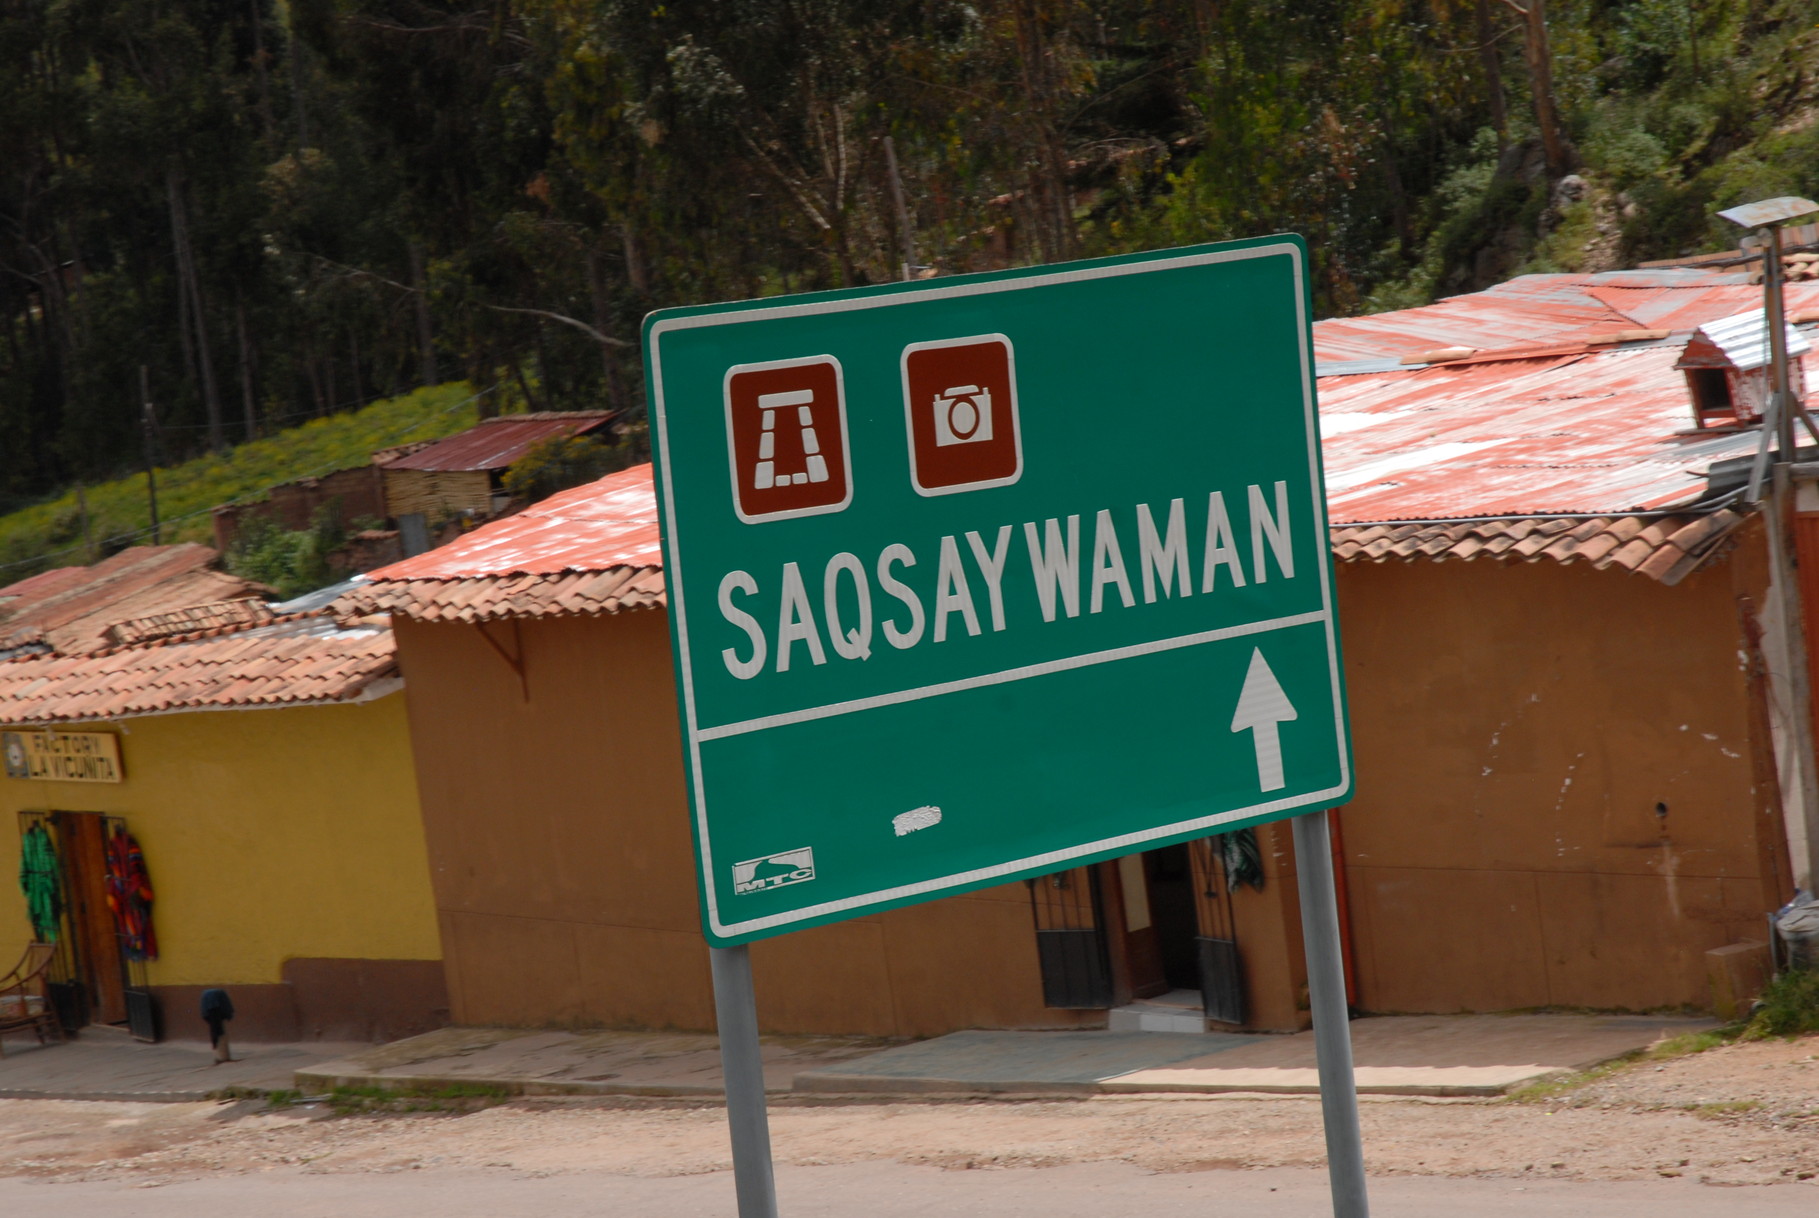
(1332, 1030)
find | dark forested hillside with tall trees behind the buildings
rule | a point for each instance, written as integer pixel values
(286, 208)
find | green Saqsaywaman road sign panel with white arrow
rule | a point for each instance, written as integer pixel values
(994, 575)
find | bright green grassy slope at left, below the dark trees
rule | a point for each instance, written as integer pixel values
(50, 534)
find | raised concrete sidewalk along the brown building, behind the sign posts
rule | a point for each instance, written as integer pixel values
(1471, 1055)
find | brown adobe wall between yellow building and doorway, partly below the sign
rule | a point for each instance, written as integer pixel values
(561, 855)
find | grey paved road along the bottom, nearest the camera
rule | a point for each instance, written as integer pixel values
(885, 1190)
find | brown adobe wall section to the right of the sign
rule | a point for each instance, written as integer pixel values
(1516, 730)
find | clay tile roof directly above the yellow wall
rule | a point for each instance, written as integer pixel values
(299, 661)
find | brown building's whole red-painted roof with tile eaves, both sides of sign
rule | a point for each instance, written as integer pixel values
(1547, 419)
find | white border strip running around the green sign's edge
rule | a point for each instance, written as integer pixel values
(1052, 859)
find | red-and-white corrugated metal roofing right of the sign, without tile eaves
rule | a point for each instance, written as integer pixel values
(1538, 423)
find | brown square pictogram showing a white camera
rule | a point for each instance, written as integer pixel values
(961, 412)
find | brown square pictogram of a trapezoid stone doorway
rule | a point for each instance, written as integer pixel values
(787, 439)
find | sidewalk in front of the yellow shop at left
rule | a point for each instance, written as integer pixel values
(106, 1064)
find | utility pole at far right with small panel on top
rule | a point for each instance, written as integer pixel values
(1767, 219)
